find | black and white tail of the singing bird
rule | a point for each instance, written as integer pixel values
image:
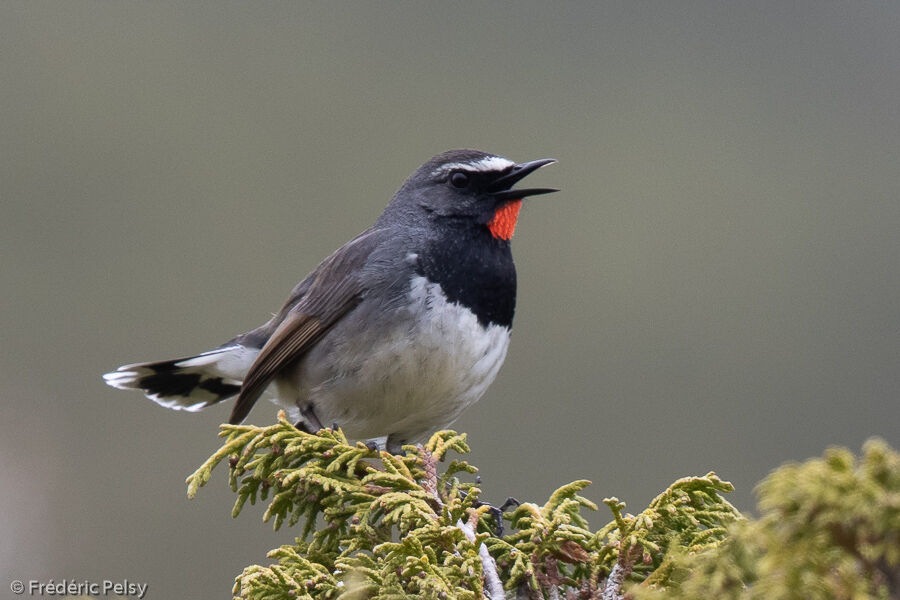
(190, 383)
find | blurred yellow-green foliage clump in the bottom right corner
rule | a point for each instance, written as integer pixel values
(829, 529)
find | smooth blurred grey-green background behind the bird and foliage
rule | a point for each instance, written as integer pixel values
(717, 287)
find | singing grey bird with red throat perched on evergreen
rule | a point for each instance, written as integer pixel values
(394, 334)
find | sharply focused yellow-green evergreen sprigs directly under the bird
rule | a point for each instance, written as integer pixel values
(380, 526)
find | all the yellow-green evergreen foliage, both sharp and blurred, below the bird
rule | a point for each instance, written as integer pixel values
(376, 525)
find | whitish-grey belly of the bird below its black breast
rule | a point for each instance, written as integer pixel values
(406, 380)
